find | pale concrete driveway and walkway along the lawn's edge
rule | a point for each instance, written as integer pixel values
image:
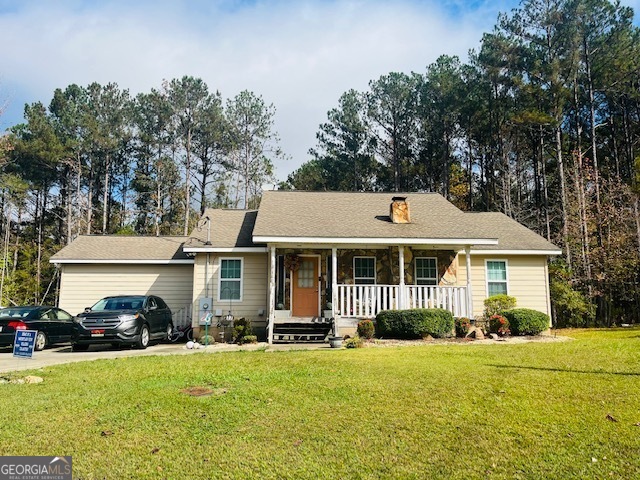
(63, 354)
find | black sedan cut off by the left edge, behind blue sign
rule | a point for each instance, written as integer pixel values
(52, 324)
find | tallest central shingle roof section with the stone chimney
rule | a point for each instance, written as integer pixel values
(361, 215)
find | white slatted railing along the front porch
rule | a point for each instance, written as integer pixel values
(365, 301)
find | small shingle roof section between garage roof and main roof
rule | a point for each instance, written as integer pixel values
(229, 229)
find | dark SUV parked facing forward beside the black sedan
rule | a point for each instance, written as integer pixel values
(123, 320)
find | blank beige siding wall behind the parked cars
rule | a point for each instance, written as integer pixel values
(82, 285)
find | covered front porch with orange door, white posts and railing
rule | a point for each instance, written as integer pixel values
(334, 279)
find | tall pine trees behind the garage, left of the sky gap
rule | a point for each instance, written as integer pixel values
(100, 161)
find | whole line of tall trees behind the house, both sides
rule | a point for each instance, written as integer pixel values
(541, 123)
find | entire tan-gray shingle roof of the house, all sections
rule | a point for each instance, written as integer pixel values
(318, 215)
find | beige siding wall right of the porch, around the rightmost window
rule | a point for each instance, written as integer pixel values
(527, 280)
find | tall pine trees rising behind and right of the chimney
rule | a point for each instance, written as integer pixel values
(542, 124)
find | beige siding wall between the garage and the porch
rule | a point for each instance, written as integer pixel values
(254, 286)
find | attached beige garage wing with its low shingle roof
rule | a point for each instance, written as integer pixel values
(93, 267)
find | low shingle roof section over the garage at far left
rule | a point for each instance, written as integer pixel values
(93, 248)
